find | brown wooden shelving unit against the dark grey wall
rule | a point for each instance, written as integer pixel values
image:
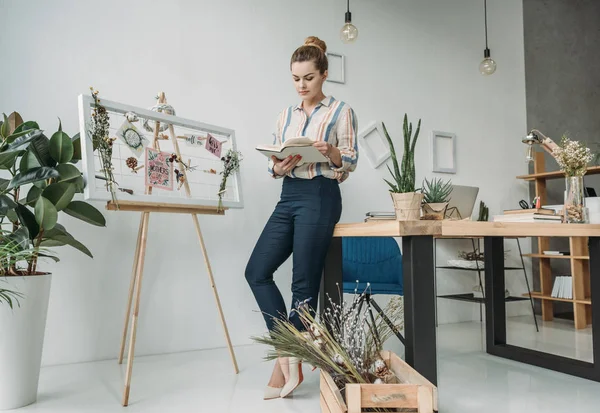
(582, 302)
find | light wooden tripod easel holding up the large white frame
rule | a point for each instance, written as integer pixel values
(135, 286)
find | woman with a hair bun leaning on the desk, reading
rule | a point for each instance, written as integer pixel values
(310, 204)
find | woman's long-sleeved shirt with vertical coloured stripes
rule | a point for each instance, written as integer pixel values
(332, 121)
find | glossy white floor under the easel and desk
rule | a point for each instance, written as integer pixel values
(203, 381)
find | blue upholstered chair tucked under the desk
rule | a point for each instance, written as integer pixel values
(377, 261)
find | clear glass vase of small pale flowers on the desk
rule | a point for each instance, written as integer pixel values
(573, 158)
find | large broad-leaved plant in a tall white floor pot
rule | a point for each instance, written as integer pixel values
(38, 181)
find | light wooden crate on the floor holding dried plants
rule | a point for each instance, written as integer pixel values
(415, 392)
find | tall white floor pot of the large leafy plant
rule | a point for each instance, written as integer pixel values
(22, 338)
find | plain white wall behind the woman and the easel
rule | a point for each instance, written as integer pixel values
(227, 63)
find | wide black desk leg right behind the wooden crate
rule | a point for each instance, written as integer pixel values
(419, 305)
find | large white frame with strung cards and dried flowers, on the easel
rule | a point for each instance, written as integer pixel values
(204, 190)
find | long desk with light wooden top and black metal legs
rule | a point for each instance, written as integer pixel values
(419, 289)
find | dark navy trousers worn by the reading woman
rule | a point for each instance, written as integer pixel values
(302, 223)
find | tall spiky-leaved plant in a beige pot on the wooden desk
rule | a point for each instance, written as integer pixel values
(407, 202)
